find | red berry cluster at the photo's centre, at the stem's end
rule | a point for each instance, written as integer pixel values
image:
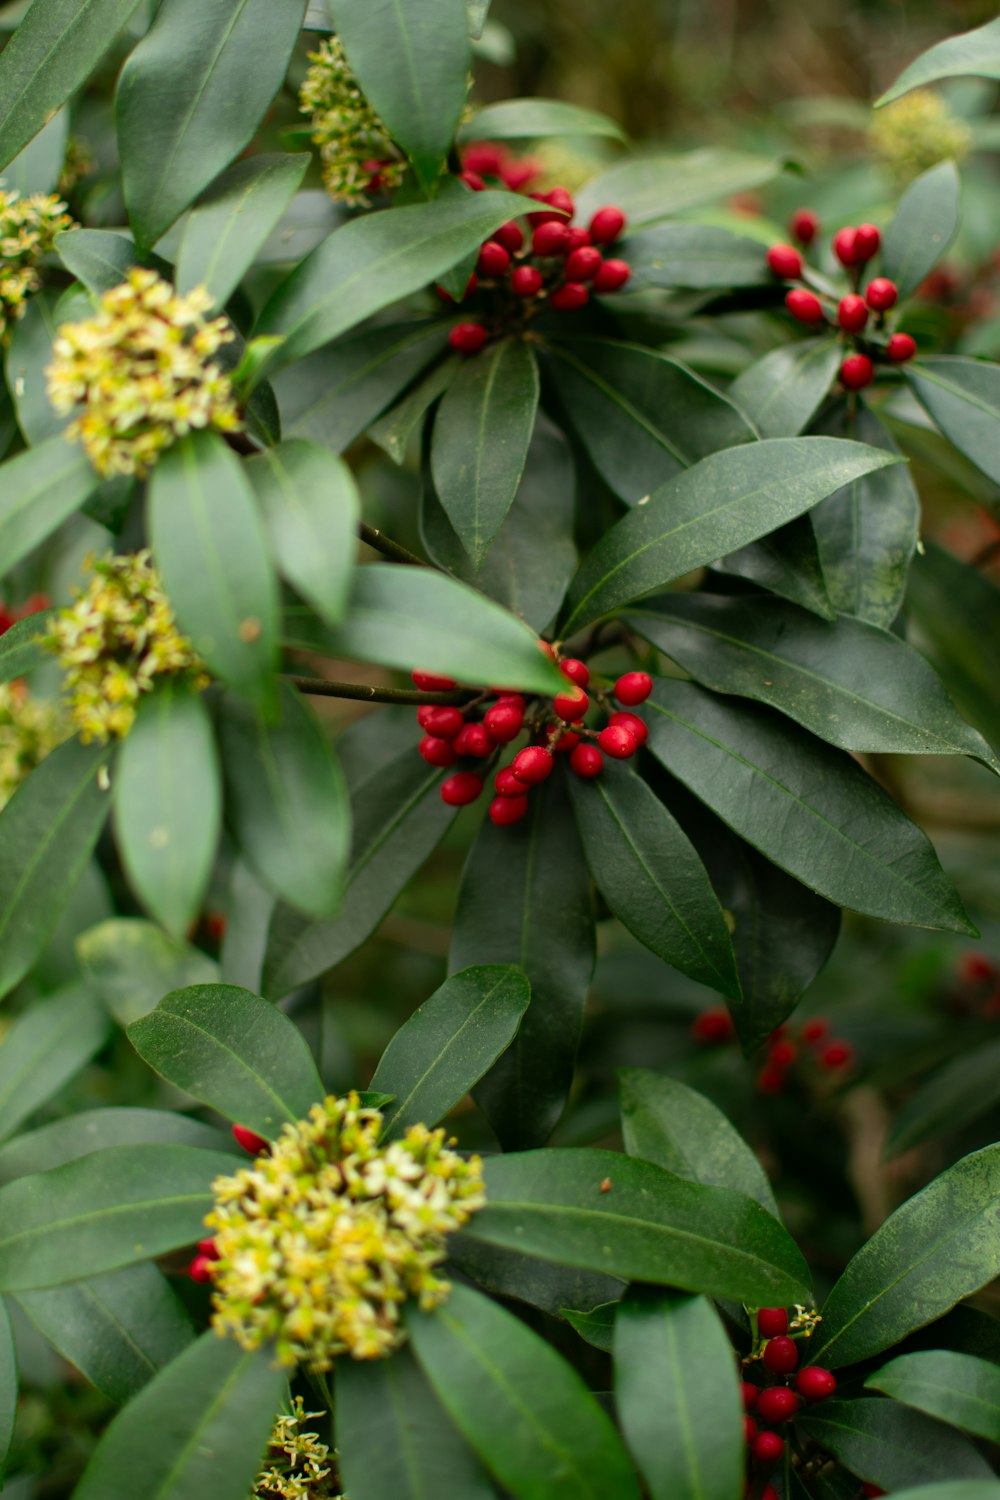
(454, 734)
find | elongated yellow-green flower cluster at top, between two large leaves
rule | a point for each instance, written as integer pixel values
(355, 145)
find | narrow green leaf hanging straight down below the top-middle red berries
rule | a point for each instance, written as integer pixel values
(481, 442)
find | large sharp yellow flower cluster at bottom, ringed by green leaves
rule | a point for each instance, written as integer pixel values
(322, 1241)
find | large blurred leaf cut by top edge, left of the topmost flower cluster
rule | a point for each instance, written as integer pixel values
(191, 97)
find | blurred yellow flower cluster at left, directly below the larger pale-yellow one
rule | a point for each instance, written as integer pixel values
(115, 641)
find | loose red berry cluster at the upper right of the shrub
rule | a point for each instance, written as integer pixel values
(854, 248)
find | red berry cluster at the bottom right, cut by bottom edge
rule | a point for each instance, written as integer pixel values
(771, 1406)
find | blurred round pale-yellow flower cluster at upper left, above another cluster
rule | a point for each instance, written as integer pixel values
(142, 370)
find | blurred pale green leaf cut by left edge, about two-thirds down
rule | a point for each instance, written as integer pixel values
(44, 1049)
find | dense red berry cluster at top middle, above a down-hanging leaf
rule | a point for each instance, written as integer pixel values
(558, 268)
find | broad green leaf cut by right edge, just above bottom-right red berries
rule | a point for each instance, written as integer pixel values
(938, 1249)
